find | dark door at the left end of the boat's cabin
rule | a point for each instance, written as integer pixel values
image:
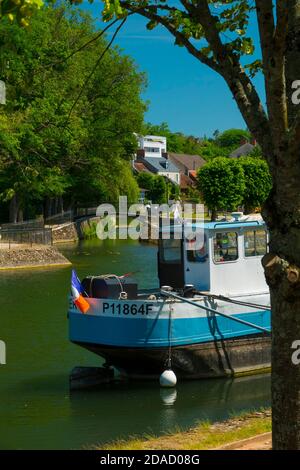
(171, 263)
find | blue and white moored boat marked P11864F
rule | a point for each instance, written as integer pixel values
(210, 316)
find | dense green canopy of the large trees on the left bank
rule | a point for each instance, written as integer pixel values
(64, 131)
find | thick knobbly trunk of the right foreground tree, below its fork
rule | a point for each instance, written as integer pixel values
(282, 270)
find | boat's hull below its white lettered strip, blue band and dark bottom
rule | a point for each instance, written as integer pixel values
(201, 345)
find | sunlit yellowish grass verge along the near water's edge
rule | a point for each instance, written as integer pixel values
(204, 436)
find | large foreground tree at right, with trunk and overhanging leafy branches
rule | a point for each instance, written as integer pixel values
(215, 33)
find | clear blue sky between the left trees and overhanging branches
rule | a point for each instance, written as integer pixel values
(181, 91)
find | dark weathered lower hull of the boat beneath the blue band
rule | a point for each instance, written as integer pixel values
(204, 360)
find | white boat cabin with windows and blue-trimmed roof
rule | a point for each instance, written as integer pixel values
(227, 262)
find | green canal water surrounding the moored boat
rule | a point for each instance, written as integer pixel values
(37, 410)
